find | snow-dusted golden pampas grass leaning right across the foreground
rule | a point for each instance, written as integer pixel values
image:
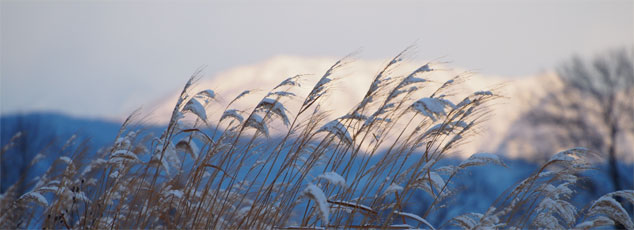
(278, 167)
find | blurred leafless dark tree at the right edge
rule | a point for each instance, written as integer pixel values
(591, 104)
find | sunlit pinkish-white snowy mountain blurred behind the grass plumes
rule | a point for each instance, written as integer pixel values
(354, 81)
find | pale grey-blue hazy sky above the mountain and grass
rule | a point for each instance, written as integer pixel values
(106, 58)
